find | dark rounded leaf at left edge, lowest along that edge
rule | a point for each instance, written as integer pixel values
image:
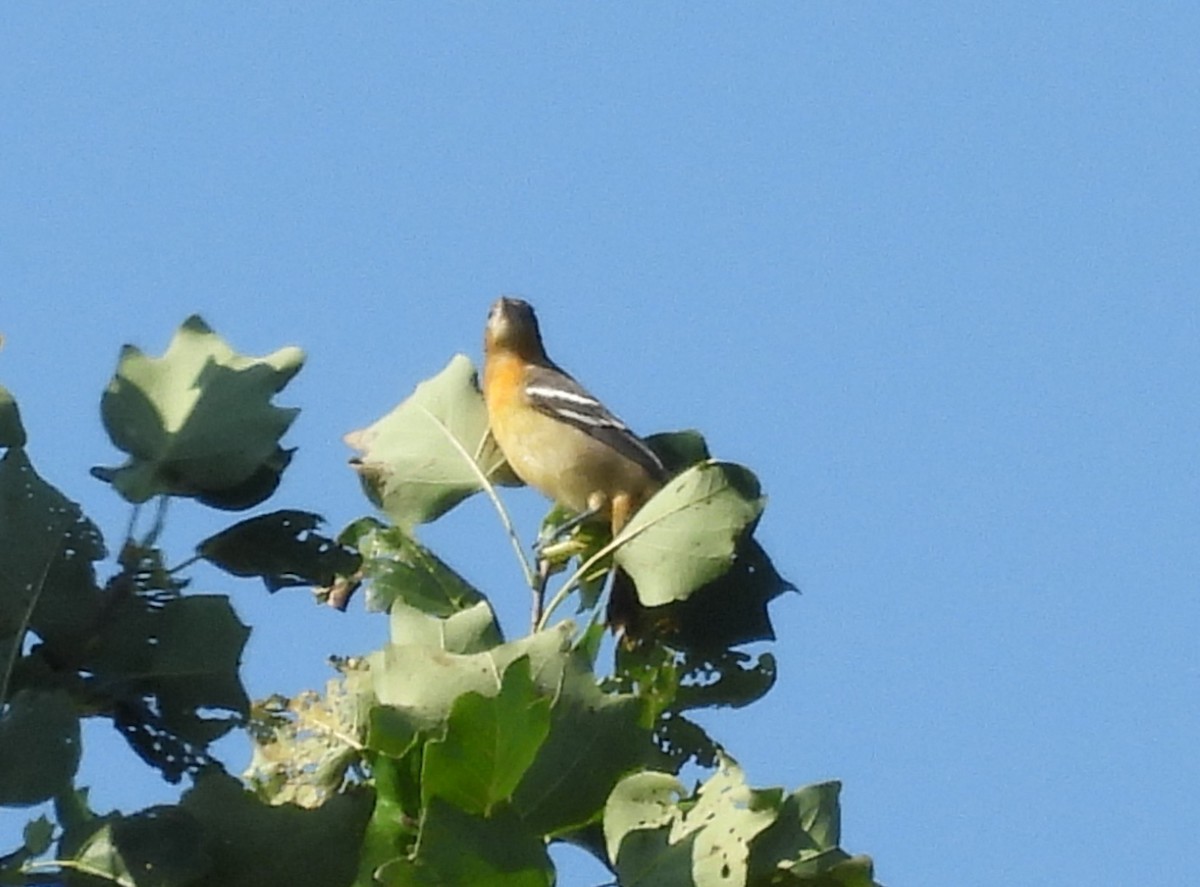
(39, 747)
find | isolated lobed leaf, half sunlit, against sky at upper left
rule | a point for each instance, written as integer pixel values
(199, 421)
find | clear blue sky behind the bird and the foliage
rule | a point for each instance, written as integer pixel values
(931, 272)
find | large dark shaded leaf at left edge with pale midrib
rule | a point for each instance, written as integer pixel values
(47, 549)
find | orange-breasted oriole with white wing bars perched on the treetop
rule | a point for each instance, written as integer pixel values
(561, 440)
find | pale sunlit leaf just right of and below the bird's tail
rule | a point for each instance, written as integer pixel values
(688, 534)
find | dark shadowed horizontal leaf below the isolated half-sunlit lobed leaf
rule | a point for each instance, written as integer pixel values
(283, 549)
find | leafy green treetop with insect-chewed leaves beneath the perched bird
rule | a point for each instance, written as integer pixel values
(449, 757)
